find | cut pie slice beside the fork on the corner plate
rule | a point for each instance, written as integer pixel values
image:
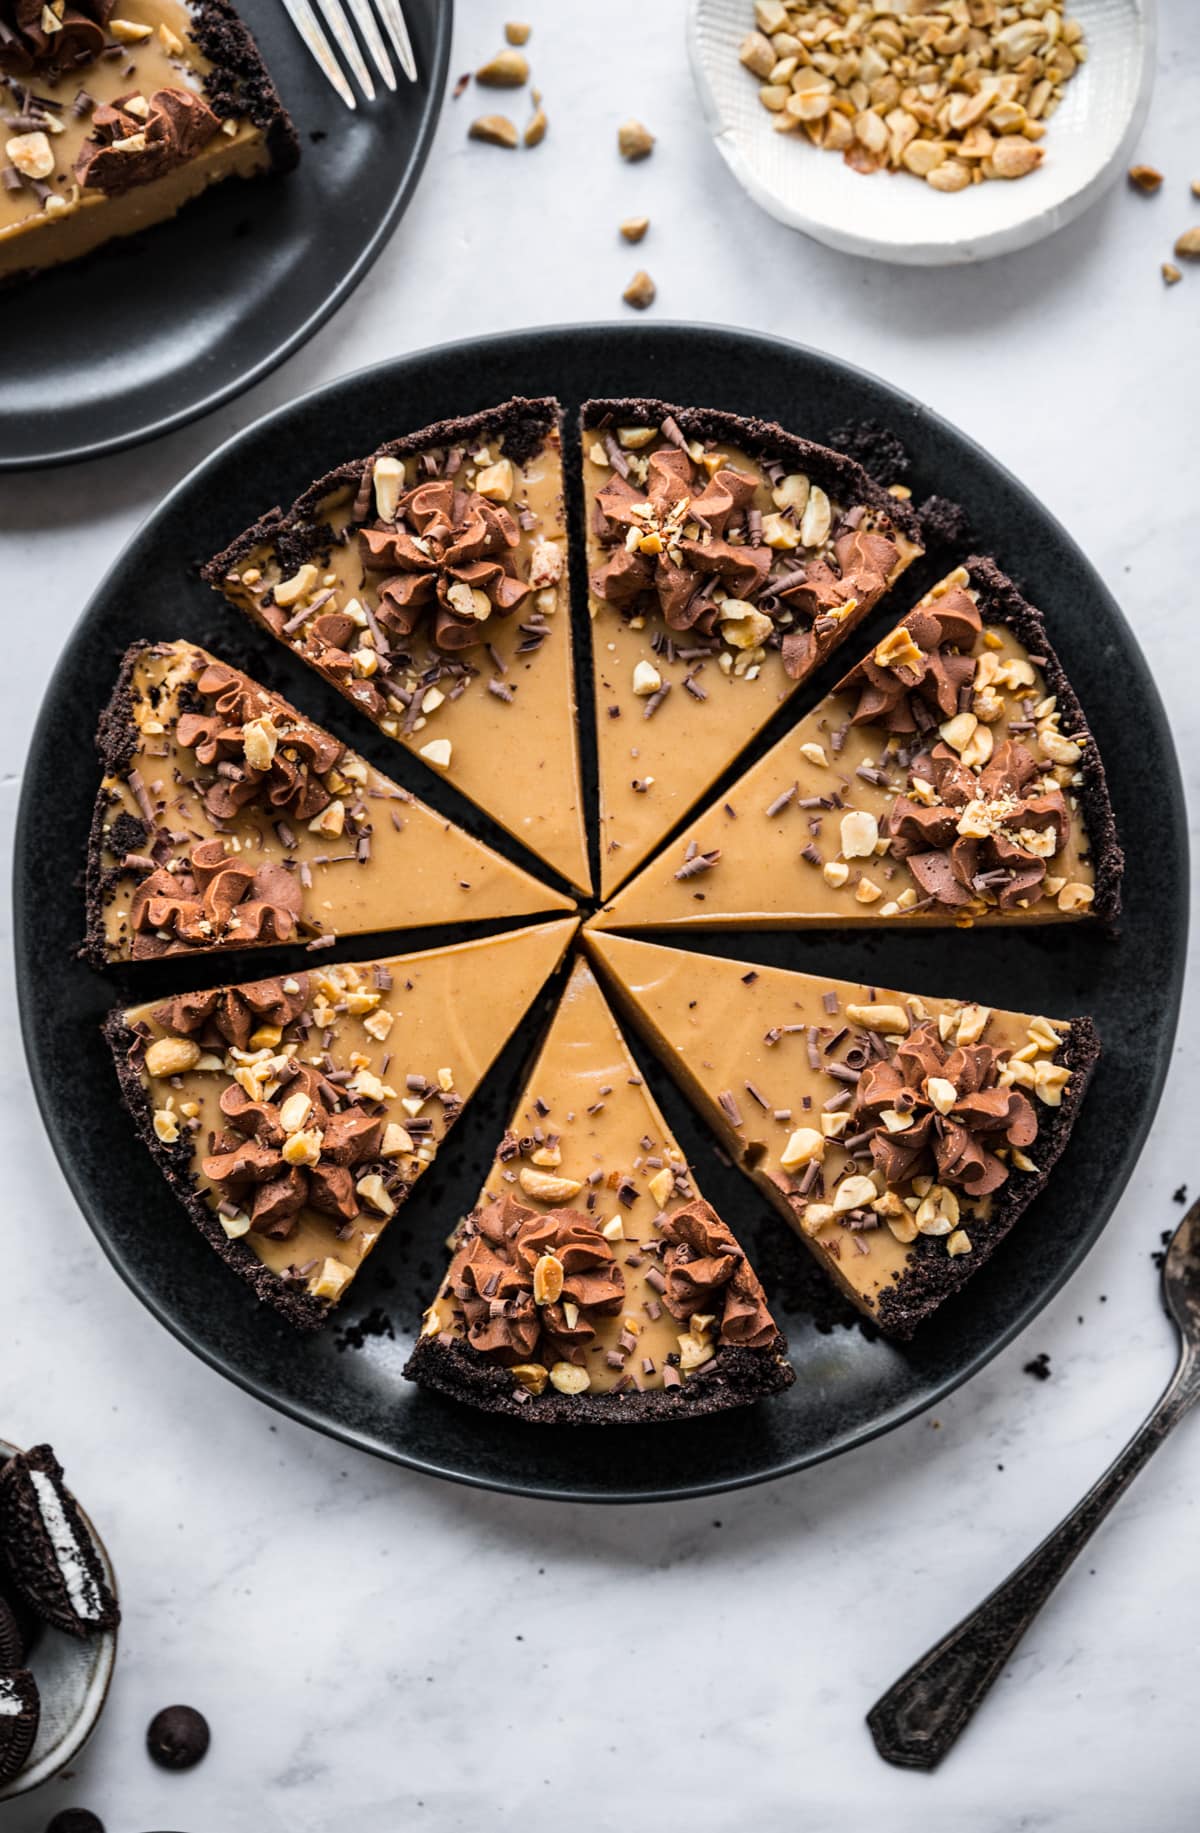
(118, 113)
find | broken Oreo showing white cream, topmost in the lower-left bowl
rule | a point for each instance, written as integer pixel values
(50, 1555)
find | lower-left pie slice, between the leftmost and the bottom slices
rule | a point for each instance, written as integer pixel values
(294, 1115)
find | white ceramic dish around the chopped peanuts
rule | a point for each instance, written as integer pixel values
(900, 219)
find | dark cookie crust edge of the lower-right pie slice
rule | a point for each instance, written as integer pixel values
(933, 1275)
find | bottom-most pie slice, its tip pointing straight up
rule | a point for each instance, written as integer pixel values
(593, 1282)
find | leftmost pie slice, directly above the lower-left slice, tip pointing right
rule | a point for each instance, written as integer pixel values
(230, 820)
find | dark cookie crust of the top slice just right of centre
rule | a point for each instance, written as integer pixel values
(765, 443)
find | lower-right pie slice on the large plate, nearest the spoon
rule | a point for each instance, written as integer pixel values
(900, 1136)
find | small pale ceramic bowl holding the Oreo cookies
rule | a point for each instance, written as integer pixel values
(72, 1678)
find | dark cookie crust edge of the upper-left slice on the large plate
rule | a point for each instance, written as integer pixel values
(300, 534)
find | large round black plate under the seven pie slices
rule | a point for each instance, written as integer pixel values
(847, 1388)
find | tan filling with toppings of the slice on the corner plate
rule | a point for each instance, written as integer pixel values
(58, 195)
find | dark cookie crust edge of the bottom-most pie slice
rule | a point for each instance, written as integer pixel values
(736, 1377)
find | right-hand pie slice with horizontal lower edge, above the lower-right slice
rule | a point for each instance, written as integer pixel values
(948, 780)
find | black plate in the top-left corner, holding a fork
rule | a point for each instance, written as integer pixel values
(168, 325)
